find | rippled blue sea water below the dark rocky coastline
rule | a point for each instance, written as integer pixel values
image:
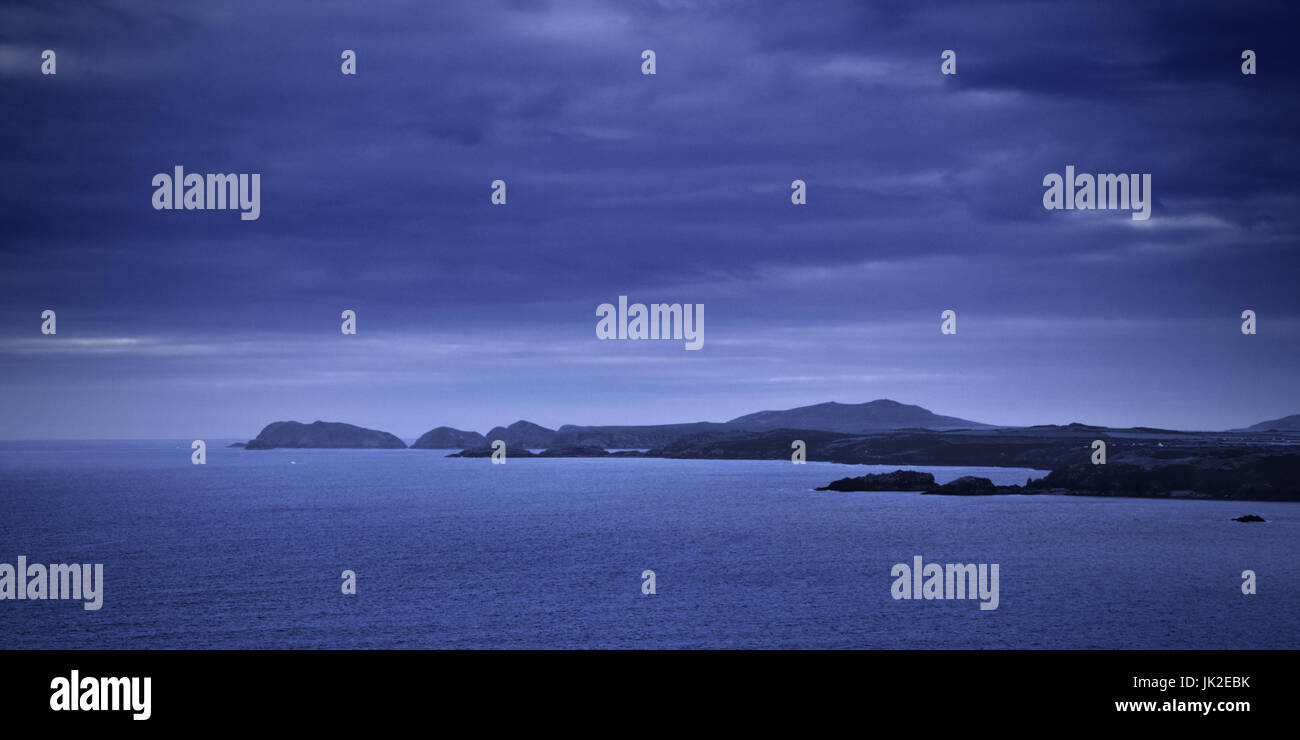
(248, 552)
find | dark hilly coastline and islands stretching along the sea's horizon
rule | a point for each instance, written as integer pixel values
(1262, 462)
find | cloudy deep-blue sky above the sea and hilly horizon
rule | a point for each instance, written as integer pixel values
(925, 194)
